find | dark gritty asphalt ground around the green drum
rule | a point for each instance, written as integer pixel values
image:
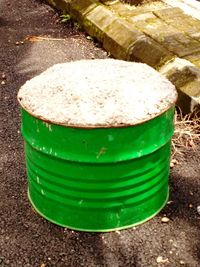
(28, 240)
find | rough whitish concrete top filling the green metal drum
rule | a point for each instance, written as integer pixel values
(97, 93)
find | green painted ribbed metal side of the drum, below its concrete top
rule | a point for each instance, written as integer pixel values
(99, 179)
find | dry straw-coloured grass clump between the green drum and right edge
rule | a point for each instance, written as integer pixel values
(187, 132)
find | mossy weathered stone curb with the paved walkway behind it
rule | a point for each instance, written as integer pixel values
(157, 34)
